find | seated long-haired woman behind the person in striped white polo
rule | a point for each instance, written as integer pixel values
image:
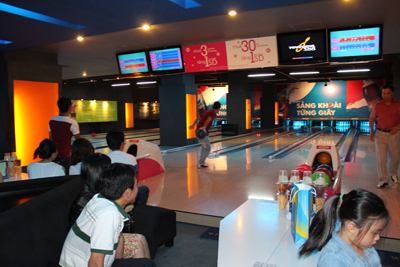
(135, 245)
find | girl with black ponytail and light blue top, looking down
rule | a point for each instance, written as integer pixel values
(362, 217)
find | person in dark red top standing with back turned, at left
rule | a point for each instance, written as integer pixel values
(61, 130)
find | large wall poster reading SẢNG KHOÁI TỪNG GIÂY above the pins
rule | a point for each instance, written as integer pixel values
(338, 99)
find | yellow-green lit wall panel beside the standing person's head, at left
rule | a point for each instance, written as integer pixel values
(94, 111)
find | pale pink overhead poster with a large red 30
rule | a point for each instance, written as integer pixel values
(252, 53)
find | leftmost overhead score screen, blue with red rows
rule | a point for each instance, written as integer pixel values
(133, 63)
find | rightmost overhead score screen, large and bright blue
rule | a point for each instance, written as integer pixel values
(360, 43)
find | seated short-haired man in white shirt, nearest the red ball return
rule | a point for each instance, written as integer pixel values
(116, 142)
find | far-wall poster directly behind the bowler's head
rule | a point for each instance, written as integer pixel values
(207, 95)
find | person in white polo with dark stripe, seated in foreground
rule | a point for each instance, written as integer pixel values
(95, 237)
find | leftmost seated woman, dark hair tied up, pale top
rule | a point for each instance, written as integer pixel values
(47, 151)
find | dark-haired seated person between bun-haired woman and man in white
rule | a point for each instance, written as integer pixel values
(80, 149)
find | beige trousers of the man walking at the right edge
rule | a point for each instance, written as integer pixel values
(387, 145)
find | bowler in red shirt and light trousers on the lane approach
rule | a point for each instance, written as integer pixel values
(205, 122)
